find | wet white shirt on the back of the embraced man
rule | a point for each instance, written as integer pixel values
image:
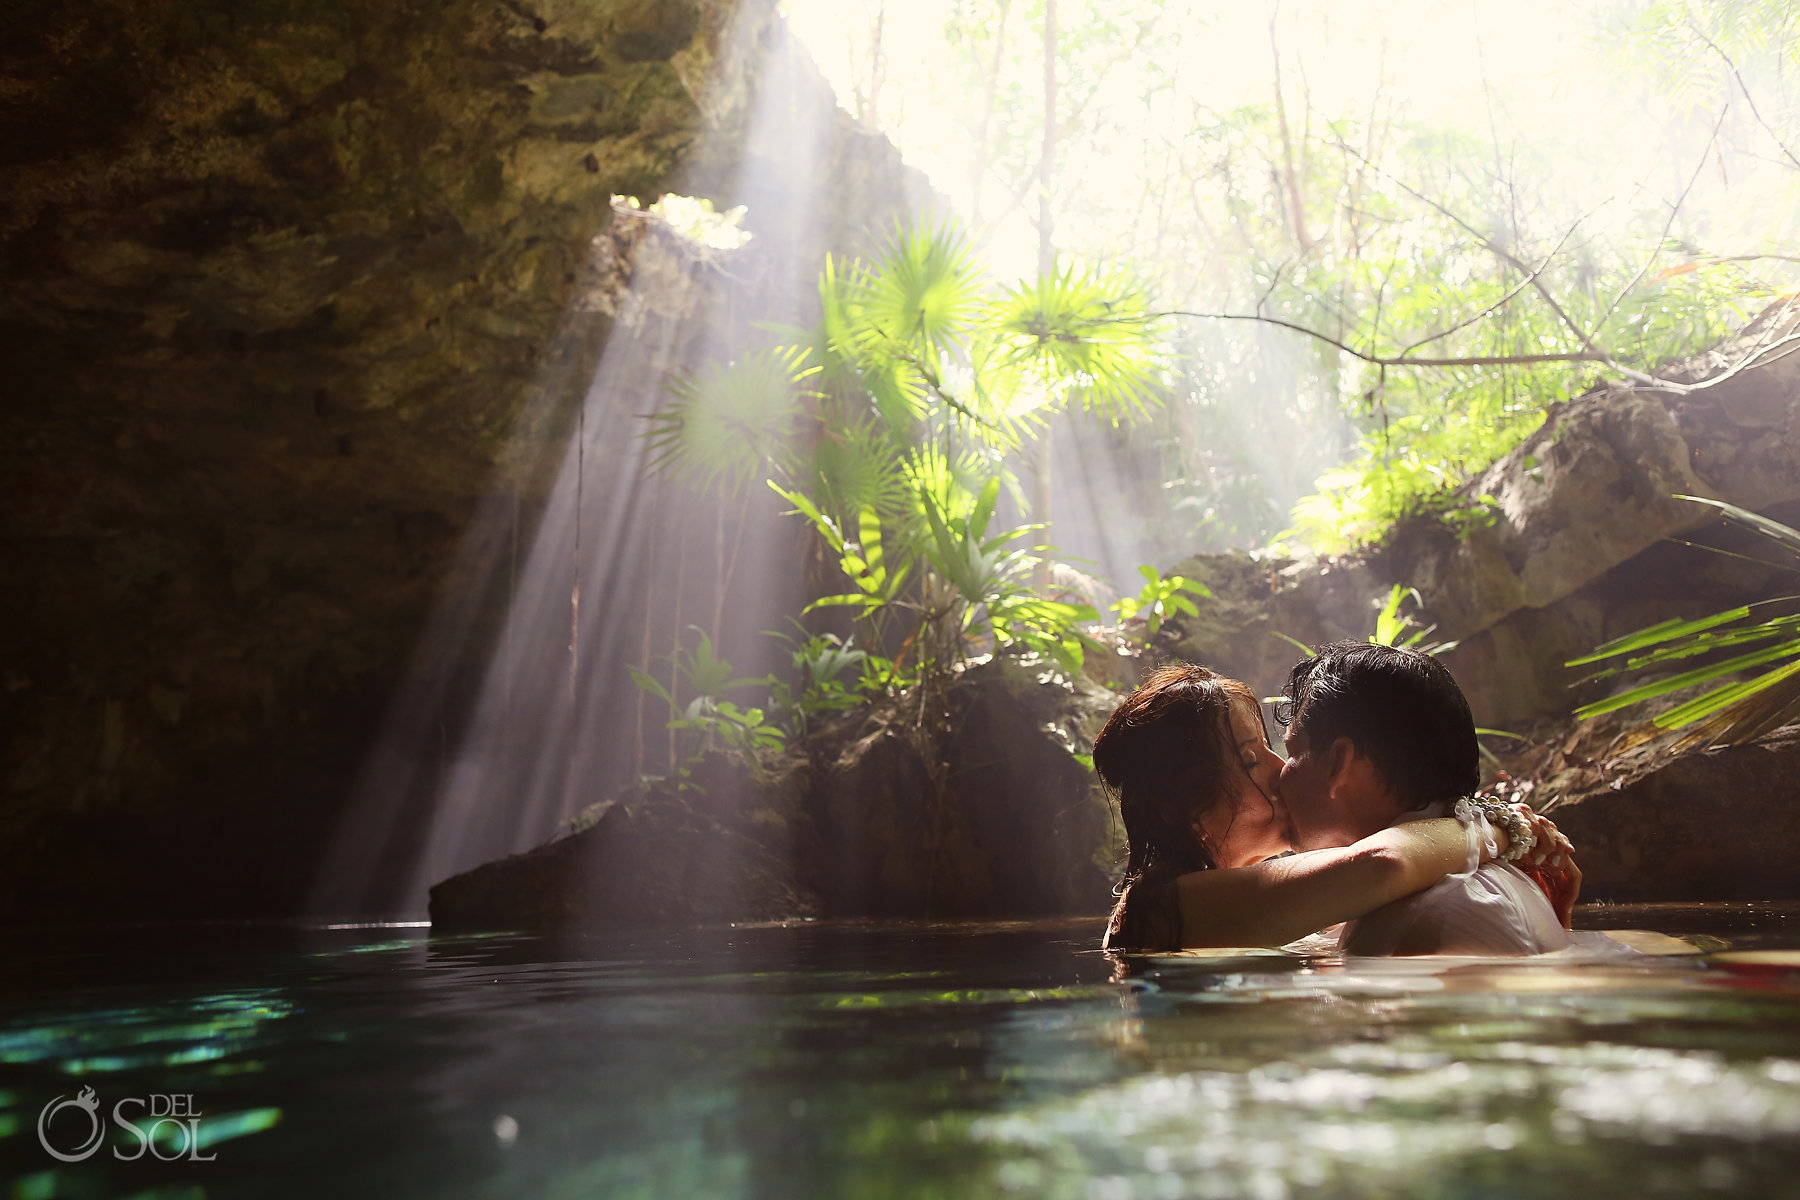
(1488, 909)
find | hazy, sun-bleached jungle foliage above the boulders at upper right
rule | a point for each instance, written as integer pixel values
(1381, 298)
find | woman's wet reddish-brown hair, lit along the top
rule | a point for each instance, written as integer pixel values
(1167, 757)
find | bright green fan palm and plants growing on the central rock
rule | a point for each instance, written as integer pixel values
(890, 429)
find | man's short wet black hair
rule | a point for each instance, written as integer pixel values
(1401, 708)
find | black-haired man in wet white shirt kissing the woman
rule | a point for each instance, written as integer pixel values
(1378, 737)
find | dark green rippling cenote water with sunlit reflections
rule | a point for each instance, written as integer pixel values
(854, 1061)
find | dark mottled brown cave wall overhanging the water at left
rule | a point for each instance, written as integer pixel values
(289, 291)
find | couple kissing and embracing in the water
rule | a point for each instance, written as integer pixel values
(1372, 823)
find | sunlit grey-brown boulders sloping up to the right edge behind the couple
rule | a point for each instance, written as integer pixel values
(1572, 553)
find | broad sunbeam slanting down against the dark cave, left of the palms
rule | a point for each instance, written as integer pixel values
(483, 760)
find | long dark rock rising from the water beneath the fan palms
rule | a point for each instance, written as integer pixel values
(962, 800)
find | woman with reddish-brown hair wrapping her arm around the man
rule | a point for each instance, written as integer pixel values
(1210, 846)
